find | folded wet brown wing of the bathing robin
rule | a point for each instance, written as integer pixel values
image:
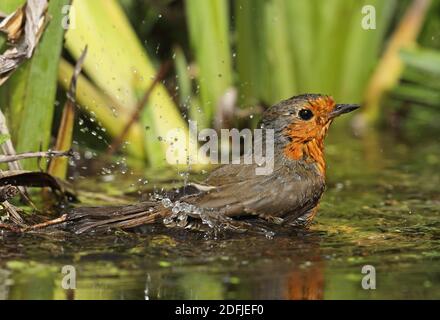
(292, 189)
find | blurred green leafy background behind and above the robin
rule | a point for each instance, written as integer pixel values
(229, 60)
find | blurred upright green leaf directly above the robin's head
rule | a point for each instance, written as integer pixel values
(265, 61)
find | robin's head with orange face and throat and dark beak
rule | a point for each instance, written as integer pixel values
(301, 124)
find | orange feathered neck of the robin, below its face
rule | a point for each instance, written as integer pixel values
(311, 151)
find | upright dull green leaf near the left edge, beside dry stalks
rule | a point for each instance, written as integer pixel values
(31, 91)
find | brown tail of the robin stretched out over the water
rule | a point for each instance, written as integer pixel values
(81, 220)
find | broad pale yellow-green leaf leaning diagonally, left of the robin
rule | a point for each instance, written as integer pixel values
(119, 65)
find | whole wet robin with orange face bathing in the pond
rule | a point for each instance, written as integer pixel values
(233, 195)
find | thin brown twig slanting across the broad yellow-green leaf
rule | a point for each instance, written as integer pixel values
(140, 107)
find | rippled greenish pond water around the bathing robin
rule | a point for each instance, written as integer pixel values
(381, 208)
